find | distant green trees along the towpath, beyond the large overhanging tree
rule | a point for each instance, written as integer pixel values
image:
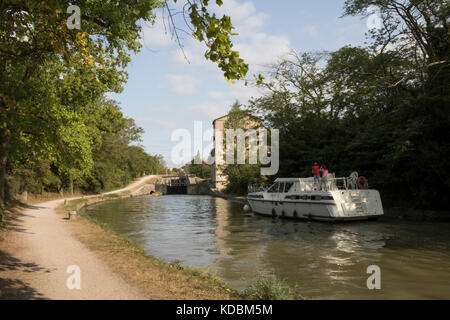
(115, 160)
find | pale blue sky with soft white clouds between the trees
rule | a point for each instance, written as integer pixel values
(165, 92)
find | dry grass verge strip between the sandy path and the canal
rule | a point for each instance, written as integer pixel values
(155, 278)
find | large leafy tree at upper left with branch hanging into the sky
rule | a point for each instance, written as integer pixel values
(52, 77)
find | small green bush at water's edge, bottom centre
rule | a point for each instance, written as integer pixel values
(268, 287)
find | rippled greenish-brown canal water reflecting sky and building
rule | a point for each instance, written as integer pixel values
(323, 260)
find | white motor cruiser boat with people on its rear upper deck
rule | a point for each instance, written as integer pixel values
(332, 199)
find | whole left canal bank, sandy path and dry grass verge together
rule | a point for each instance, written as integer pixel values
(41, 243)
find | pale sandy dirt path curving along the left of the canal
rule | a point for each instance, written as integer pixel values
(39, 248)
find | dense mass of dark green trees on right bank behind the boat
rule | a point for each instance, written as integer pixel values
(380, 110)
